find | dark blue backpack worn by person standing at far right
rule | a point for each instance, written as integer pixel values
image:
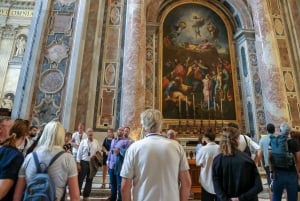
(281, 157)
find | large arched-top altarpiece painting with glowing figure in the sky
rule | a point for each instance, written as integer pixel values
(197, 74)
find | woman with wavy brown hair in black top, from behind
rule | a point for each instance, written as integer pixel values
(235, 175)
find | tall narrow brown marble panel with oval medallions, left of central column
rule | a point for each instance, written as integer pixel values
(110, 71)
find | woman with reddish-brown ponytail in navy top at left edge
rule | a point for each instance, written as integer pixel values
(11, 159)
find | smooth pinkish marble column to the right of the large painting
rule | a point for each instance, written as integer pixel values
(274, 94)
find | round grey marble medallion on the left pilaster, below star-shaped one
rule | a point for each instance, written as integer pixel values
(51, 81)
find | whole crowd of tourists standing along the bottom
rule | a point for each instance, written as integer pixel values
(152, 168)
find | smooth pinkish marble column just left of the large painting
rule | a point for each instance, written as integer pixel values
(133, 78)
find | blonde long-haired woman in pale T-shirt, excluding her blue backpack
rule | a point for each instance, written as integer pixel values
(63, 171)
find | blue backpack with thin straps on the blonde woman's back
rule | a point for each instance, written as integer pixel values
(41, 187)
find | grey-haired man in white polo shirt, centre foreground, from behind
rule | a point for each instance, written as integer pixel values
(155, 168)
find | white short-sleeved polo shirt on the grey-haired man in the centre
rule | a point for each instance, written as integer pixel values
(154, 164)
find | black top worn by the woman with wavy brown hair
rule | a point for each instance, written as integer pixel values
(236, 176)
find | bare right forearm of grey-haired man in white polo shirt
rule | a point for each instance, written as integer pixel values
(185, 187)
